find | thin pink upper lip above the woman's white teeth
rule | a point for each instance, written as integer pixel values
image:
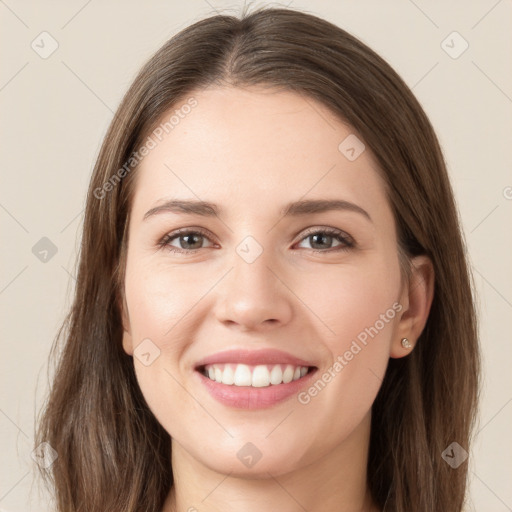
(253, 357)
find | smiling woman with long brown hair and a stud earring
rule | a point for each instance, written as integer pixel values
(273, 308)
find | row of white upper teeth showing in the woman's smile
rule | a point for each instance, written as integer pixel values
(259, 376)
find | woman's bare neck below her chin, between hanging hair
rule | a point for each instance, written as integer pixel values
(334, 482)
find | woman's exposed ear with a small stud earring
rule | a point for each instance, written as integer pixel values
(416, 299)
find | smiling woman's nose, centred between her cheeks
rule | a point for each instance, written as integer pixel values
(254, 297)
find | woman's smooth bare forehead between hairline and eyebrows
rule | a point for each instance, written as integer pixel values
(251, 148)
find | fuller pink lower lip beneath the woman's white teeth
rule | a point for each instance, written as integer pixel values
(248, 397)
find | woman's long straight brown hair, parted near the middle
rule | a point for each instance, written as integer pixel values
(112, 453)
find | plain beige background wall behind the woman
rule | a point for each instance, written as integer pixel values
(55, 111)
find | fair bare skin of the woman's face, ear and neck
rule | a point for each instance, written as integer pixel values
(251, 151)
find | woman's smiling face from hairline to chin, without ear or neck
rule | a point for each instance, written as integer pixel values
(320, 284)
